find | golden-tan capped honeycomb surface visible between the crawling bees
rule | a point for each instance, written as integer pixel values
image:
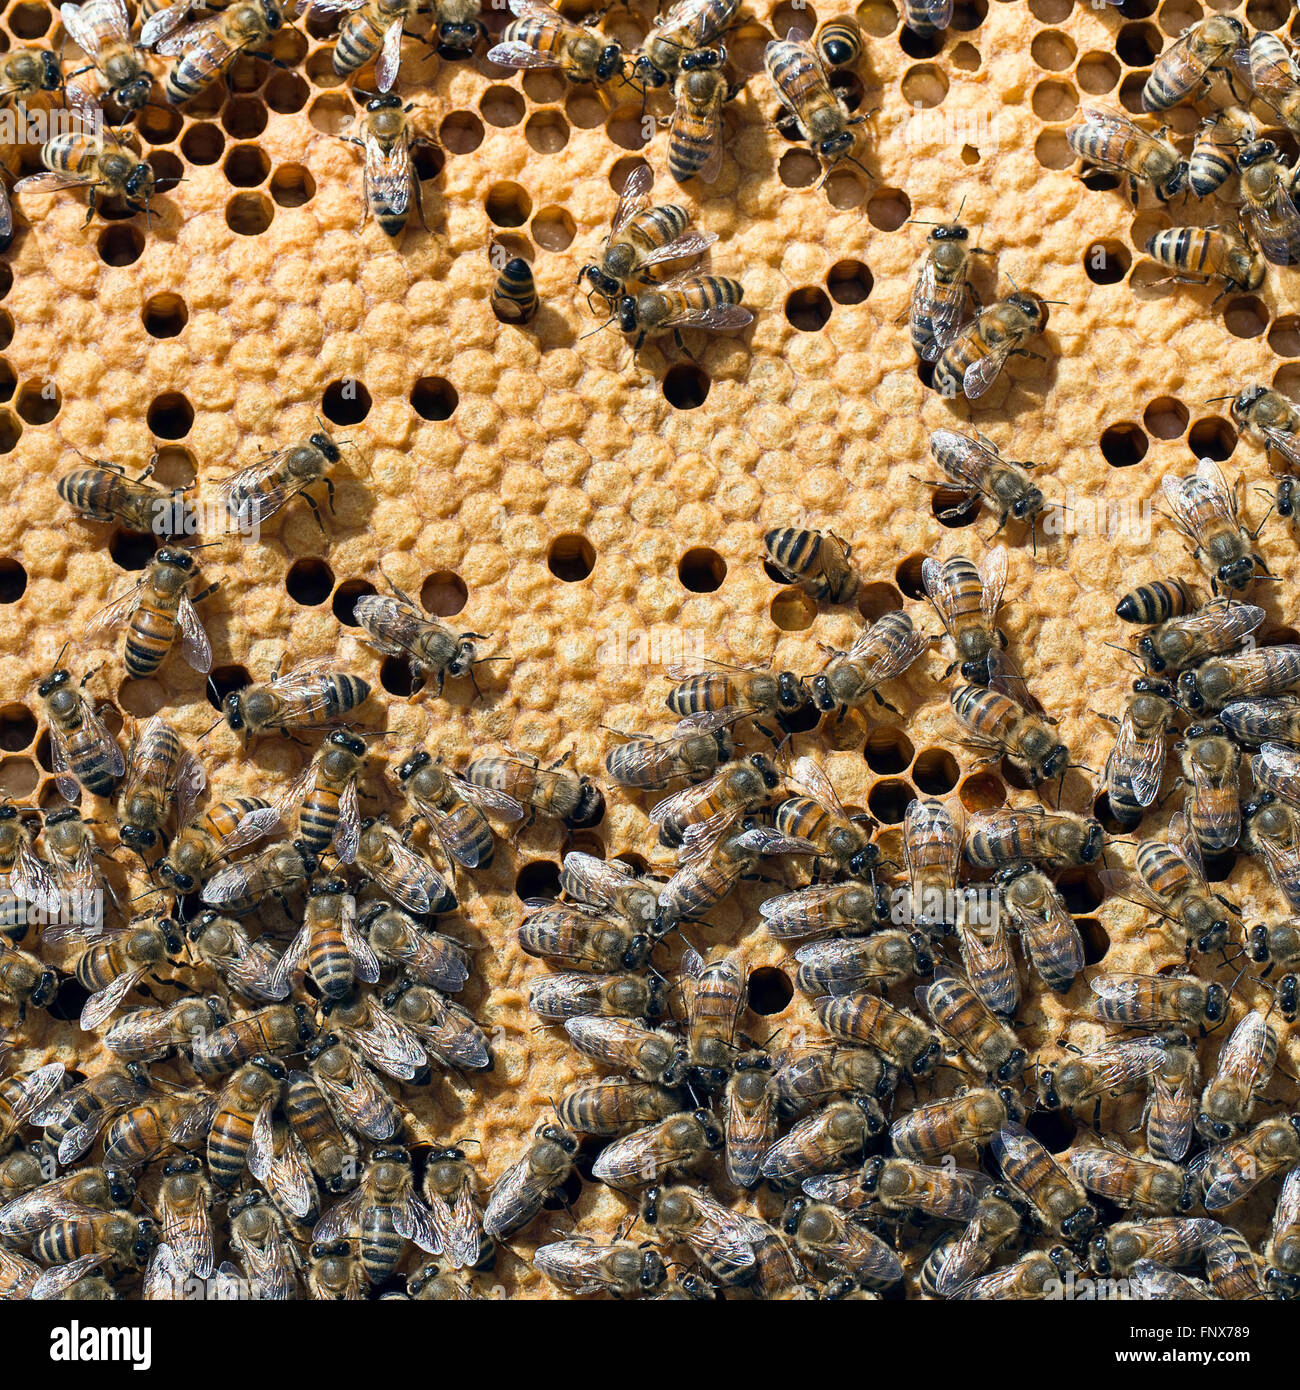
(600, 512)
